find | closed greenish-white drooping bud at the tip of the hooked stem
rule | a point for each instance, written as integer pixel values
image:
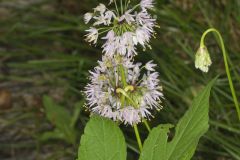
(203, 59)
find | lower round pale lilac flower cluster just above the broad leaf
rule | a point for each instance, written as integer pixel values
(128, 98)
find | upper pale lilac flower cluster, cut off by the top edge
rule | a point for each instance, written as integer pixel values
(122, 29)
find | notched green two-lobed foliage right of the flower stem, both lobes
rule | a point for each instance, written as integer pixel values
(188, 132)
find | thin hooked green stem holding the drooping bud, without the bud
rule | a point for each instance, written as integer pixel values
(226, 65)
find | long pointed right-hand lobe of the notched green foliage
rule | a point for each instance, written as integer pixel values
(191, 127)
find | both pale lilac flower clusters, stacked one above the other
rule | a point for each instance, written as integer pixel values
(119, 88)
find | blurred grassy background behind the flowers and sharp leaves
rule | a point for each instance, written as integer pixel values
(44, 63)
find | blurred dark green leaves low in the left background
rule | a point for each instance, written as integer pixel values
(62, 119)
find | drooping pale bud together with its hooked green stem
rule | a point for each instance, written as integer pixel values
(203, 62)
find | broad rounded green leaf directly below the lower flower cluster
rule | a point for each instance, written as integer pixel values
(102, 140)
